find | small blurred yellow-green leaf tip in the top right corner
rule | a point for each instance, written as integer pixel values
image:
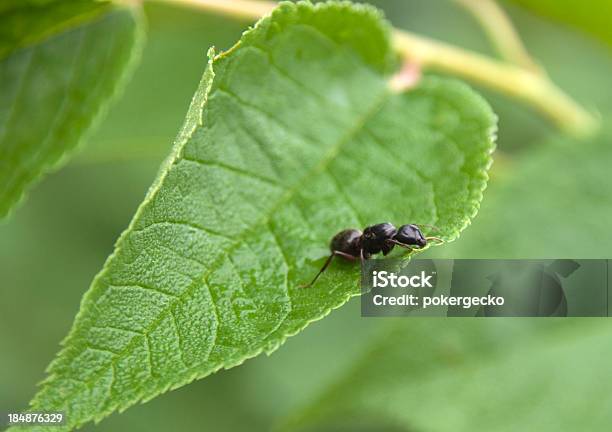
(593, 17)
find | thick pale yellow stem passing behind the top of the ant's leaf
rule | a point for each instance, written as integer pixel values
(522, 83)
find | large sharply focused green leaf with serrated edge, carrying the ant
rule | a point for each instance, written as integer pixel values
(292, 135)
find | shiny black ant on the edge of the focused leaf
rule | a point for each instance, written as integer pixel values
(352, 244)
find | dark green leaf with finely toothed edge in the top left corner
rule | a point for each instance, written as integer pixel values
(60, 64)
